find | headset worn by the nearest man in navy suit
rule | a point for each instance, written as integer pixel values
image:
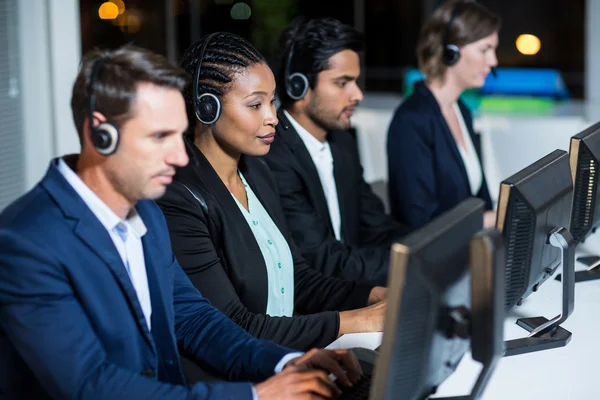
(105, 136)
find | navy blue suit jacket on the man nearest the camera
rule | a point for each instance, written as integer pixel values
(73, 326)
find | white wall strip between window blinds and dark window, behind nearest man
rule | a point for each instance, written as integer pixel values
(49, 38)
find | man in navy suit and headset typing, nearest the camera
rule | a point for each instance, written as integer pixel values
(92, 300)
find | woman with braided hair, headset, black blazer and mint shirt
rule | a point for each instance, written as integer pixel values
(227, 227)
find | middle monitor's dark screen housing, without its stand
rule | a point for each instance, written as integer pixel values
(531, 204)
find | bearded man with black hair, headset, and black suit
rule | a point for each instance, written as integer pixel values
(336, 220)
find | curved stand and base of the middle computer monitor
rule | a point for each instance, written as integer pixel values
(548, 334)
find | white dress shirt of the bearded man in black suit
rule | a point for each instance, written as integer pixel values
(323, 160)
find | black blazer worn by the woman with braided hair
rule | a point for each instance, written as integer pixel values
(216, 248)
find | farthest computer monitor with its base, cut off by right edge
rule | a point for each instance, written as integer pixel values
(584, 153)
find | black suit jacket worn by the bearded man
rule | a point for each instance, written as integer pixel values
(367, 231)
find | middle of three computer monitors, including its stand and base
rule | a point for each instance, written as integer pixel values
(533, 215)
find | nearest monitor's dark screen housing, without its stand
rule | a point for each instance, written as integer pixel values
(428, 283)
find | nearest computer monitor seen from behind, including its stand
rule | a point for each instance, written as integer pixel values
(431, 313)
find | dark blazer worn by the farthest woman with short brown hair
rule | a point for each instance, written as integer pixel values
(426, 173)
